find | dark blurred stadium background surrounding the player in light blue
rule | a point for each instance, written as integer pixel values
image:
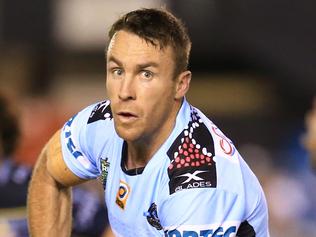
(254, 75)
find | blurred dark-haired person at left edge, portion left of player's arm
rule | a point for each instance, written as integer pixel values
(14, 177)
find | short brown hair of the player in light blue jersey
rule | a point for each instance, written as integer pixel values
(158, 25)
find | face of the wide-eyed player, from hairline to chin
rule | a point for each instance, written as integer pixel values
(141, 87)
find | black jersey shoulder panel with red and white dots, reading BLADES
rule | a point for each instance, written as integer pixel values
(191, 155)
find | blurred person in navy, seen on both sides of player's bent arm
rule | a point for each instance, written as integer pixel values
(90, 217)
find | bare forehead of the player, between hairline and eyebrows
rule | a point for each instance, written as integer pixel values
(128, 46)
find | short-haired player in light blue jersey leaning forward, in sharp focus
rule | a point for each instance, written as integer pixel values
(167, 170)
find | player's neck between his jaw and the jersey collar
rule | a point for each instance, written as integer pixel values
(140, 152)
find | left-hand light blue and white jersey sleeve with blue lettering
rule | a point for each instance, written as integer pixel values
(74, 140)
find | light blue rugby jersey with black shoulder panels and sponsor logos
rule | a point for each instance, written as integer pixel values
(196, 184)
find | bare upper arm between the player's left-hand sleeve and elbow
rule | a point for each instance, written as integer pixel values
(56, 165)
